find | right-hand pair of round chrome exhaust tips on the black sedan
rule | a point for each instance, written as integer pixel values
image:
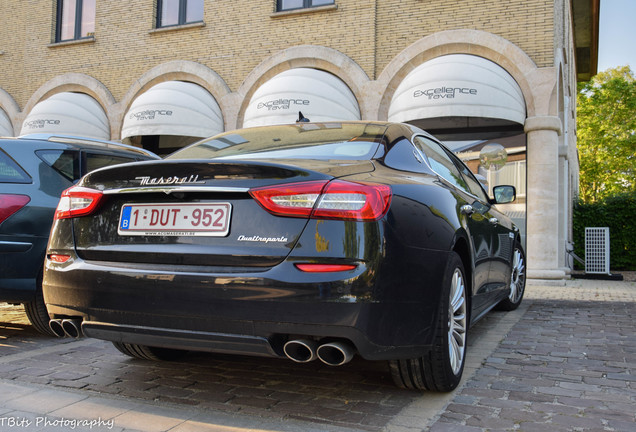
(306, 350)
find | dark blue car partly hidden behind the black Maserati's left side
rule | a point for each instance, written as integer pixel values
(34, 170)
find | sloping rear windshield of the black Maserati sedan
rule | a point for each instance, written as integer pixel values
(301, 141)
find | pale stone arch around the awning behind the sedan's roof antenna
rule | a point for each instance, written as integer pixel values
(307, 56)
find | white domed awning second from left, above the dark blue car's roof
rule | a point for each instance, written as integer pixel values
(70, 114)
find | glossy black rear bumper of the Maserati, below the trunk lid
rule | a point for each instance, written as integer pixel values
(249, 313)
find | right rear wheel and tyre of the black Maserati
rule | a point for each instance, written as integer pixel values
(441, 369)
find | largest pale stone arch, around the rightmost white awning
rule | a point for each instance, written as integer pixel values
(502, 52)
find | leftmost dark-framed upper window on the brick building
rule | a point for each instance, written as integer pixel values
(75, 19)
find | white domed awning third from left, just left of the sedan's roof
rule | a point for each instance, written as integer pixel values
(174, 108)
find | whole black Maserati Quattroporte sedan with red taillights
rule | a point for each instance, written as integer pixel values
(304, 241)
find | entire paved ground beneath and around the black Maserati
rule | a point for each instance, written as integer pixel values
(564, 361)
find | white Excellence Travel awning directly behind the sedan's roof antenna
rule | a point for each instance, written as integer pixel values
(319, 95)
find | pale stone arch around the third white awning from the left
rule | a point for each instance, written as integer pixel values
(178, 70)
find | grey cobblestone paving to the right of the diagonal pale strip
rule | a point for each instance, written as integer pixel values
(568, 364)
